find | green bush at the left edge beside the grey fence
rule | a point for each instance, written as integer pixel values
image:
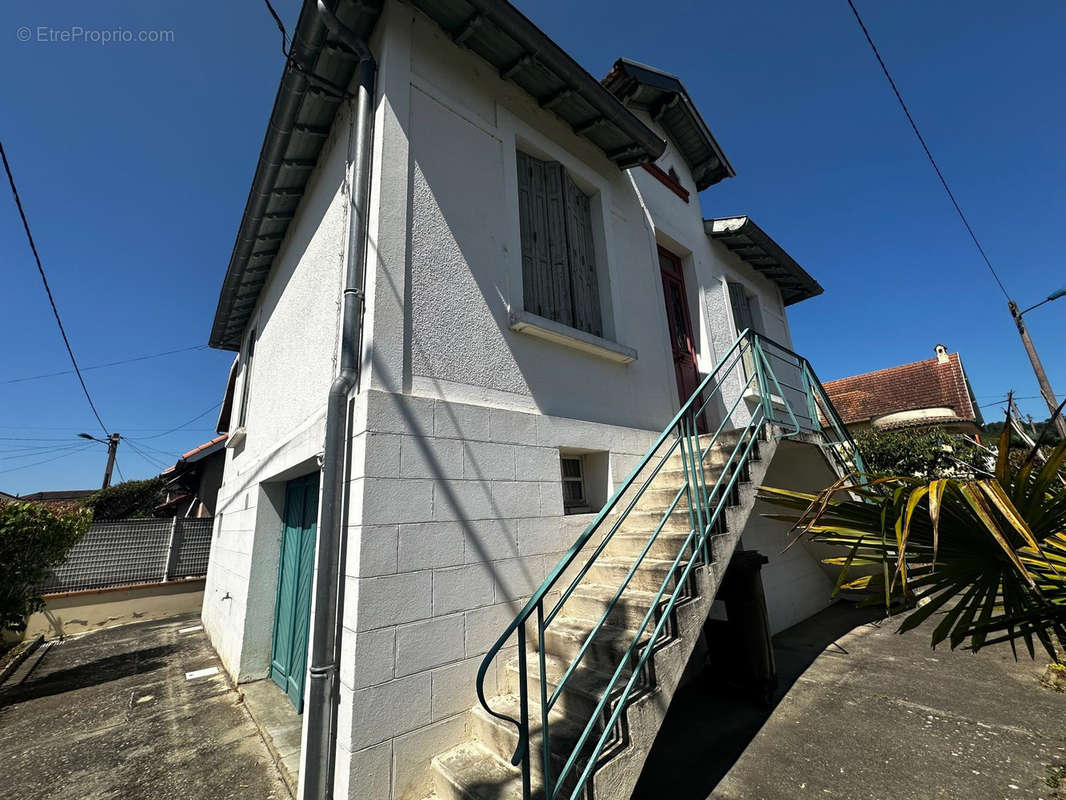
(35, 538)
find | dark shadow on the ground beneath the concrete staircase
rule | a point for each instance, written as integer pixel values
(712, 724)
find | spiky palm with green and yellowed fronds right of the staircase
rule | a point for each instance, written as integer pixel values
(990, 554)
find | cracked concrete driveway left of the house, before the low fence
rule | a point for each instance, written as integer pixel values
(115, 715)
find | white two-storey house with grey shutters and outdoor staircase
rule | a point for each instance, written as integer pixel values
(543, 293)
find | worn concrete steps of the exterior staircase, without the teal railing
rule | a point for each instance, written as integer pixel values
(481, 769)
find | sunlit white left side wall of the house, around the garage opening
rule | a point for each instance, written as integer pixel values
(297, 326)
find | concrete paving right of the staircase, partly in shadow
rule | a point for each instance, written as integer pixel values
(869, 714)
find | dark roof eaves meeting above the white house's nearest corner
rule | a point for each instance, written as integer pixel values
(591, 110)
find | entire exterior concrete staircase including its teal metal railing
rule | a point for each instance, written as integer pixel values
(586, 673)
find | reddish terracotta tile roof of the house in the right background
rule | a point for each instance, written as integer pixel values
(927, 385)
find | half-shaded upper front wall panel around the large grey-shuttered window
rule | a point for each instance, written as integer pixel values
(459, 291)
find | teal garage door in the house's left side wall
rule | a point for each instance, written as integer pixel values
(293, 614)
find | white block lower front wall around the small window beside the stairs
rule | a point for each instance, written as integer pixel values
(460, 519)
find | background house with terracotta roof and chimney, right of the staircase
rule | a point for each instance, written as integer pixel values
(934, 393)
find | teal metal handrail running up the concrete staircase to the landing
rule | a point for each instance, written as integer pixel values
(745, 372)
